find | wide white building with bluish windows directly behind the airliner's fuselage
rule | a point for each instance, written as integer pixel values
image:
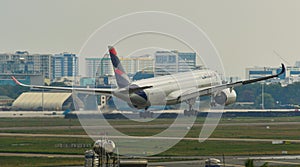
(168, 62)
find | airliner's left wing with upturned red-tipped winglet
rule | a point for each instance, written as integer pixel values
(85, 90)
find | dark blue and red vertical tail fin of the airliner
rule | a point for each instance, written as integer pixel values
(120, 74)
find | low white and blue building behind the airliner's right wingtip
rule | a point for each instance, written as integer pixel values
(292, 73)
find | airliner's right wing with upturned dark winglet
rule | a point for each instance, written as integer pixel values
(194, 93)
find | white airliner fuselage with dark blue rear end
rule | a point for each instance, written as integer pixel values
(168, 87)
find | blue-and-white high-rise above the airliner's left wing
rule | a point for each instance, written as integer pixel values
(64, 65)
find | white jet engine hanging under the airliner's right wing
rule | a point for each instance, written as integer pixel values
(225, 97)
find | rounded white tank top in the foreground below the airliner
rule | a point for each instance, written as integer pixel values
(104, 147)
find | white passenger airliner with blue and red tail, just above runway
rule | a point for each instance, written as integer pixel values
(165, 90)
